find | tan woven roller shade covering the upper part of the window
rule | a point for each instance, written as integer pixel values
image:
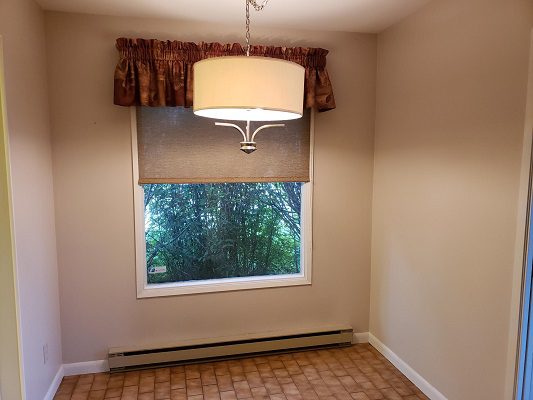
(176, 146)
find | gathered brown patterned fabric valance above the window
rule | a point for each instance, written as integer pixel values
(160, 73)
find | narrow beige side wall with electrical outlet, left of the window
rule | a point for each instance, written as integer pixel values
(22, 28)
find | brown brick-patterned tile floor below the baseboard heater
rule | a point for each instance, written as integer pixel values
(358, 372)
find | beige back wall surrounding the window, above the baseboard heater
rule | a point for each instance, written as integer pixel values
(94, 200)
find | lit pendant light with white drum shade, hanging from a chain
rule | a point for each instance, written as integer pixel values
(248, 88)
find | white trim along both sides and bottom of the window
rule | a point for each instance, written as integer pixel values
(218, 285)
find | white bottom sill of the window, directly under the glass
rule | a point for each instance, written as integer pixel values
(221, 285)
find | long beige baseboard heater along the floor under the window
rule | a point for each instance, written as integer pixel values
(130, 358)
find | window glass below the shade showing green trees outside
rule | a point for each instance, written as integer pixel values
(214, 231)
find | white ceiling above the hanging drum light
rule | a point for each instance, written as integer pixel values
(334, 15)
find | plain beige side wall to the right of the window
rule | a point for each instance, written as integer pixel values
(451, 97)
